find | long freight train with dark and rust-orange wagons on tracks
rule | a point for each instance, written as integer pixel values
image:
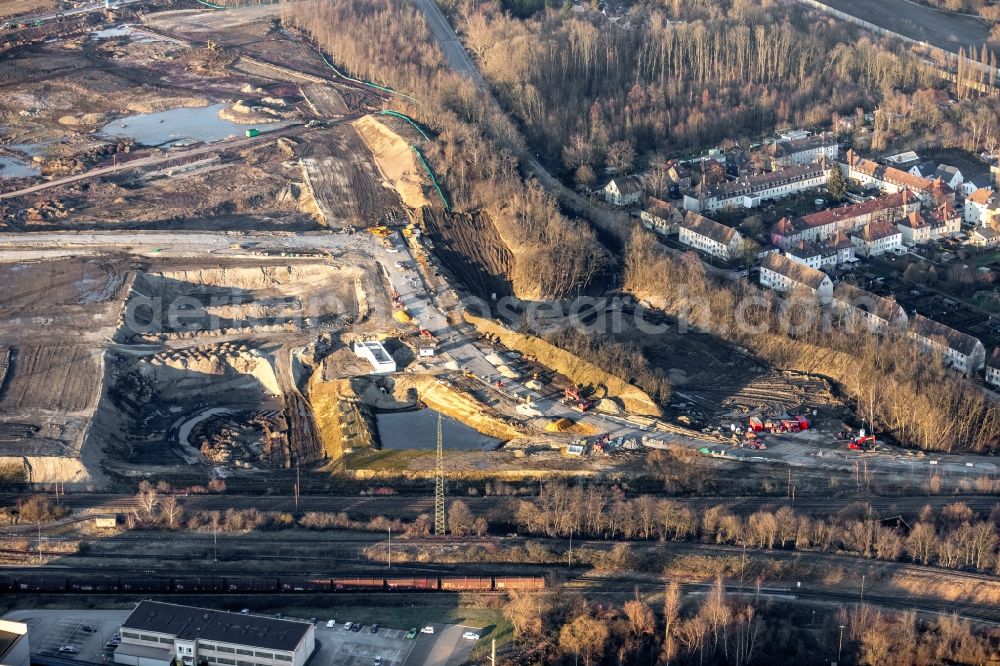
(70, 584)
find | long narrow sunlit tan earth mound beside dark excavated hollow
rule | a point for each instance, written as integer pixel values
(576, 369)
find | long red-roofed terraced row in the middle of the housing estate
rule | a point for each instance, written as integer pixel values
(846, 219)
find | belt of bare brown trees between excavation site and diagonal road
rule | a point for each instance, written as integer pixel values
(391, 45)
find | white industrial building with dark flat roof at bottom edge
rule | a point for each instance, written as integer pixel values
(160, 634)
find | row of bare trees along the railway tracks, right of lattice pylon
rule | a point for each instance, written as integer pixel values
(953, 538)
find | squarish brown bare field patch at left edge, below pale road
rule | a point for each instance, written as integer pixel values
(51, 377)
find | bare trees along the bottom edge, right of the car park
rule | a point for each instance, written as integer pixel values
(720, 628)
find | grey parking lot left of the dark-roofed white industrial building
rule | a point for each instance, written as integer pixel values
(49, 630)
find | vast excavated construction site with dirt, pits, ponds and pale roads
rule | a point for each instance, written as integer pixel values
(184, 198)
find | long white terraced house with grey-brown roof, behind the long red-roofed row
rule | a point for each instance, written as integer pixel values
(751, 191)
